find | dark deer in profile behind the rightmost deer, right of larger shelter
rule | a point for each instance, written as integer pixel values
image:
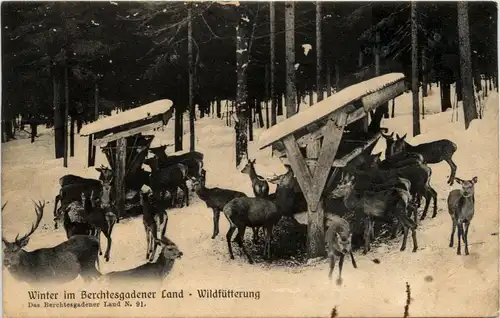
(432, 152)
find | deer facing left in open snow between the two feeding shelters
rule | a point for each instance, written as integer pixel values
(216, 199)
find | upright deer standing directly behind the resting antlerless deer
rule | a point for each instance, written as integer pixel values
(154, 219)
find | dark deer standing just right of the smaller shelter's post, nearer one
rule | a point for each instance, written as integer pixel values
(169, 179)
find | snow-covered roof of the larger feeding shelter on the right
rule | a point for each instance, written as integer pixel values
(325, 107)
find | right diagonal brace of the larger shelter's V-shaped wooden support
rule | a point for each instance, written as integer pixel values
(327, 156)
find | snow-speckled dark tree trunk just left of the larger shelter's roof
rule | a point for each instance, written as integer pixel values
(242, 56)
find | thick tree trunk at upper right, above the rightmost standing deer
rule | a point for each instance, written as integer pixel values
(469, 106)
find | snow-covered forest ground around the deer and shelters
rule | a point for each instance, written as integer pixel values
(442, 283)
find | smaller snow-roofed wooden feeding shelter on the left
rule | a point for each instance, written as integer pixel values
(120, 137)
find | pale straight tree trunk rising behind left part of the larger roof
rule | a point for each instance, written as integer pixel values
(290, 58)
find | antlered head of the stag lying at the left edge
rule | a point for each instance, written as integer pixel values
(12, 251)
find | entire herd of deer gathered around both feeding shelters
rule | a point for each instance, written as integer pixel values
(388, 191)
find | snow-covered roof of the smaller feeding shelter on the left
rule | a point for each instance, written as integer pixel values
(135, 114)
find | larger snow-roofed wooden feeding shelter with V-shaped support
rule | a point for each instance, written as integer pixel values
(315, 140)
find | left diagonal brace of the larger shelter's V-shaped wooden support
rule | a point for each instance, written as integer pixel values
(299, 166)
